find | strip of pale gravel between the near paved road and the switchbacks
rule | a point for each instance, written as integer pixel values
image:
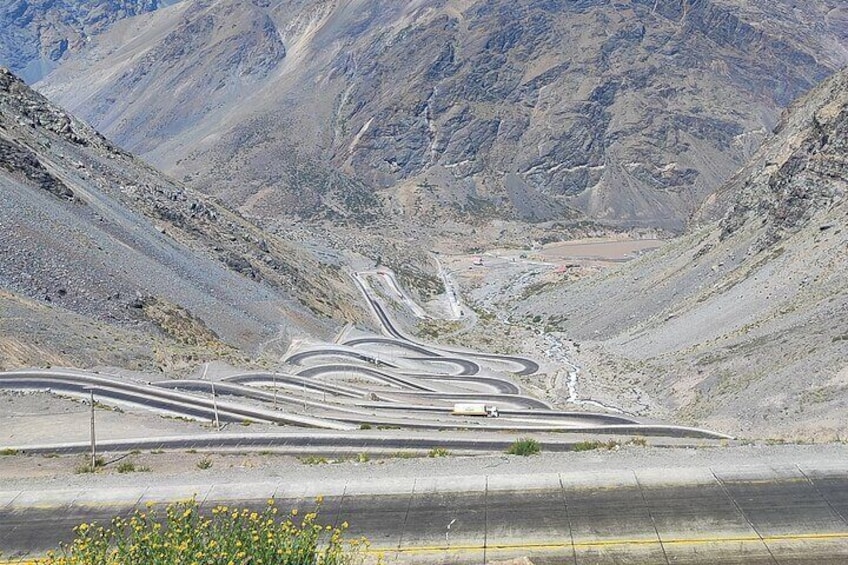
(32, 472)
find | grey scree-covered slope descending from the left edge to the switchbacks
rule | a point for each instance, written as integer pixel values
(95, 242)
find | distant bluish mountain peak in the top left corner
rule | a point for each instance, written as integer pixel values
(38, 34)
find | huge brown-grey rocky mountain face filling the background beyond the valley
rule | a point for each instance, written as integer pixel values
(630, 112)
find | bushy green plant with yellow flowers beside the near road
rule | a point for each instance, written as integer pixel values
(183, 535)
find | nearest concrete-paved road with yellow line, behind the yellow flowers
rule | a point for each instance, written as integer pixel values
(698, 516)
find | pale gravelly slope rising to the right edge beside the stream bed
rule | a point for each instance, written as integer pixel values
(742, 324)
